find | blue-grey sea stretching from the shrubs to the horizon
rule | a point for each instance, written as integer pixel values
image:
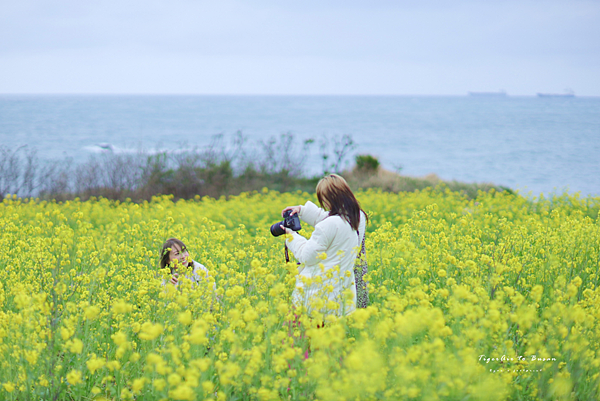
(537, 145)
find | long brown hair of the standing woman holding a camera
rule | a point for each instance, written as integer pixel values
(335, 195)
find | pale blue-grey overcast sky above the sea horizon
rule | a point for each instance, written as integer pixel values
(303, 47)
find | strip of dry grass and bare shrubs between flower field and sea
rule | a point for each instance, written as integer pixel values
(216, 171)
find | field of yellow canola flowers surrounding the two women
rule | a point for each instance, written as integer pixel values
(489, 299)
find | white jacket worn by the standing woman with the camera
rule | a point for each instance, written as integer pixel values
(333, 244)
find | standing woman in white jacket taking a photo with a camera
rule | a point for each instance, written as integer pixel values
(326, 278)
